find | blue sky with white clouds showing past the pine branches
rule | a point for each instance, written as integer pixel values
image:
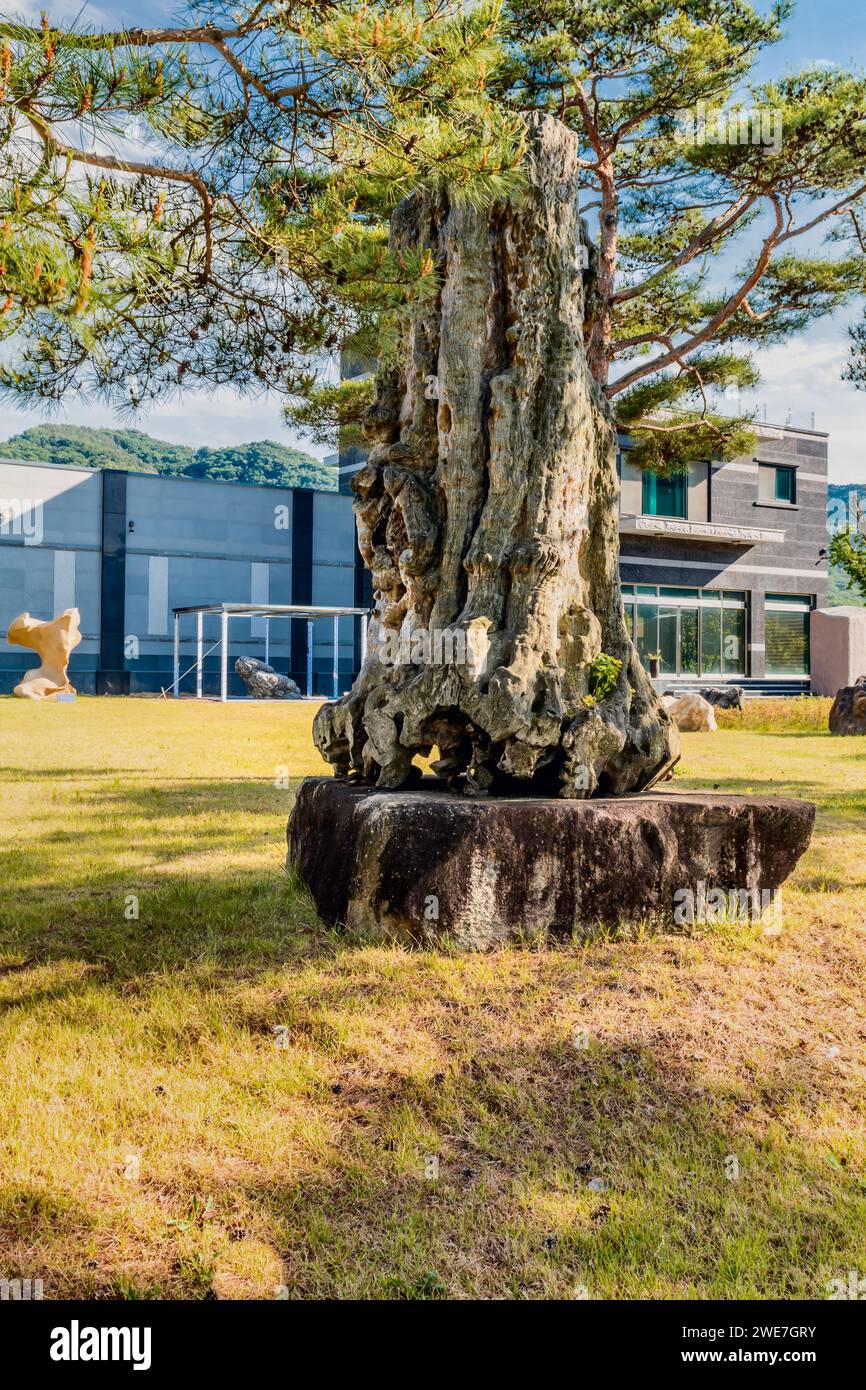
(801, 379)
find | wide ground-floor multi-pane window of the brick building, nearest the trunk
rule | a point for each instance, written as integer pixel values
(696, 632)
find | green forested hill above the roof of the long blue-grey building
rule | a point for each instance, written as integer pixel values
(77, 447)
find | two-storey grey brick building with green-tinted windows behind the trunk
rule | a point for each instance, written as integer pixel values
(722, 569)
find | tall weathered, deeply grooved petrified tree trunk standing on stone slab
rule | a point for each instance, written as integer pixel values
(487, 512)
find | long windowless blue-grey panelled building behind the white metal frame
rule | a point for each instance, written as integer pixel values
(129, 548)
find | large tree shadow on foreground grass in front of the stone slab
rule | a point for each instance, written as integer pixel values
(607, 1168)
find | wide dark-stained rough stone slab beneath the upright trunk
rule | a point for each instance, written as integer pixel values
(512, 868)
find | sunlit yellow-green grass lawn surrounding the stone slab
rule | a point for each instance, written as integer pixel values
(161, 1139)
